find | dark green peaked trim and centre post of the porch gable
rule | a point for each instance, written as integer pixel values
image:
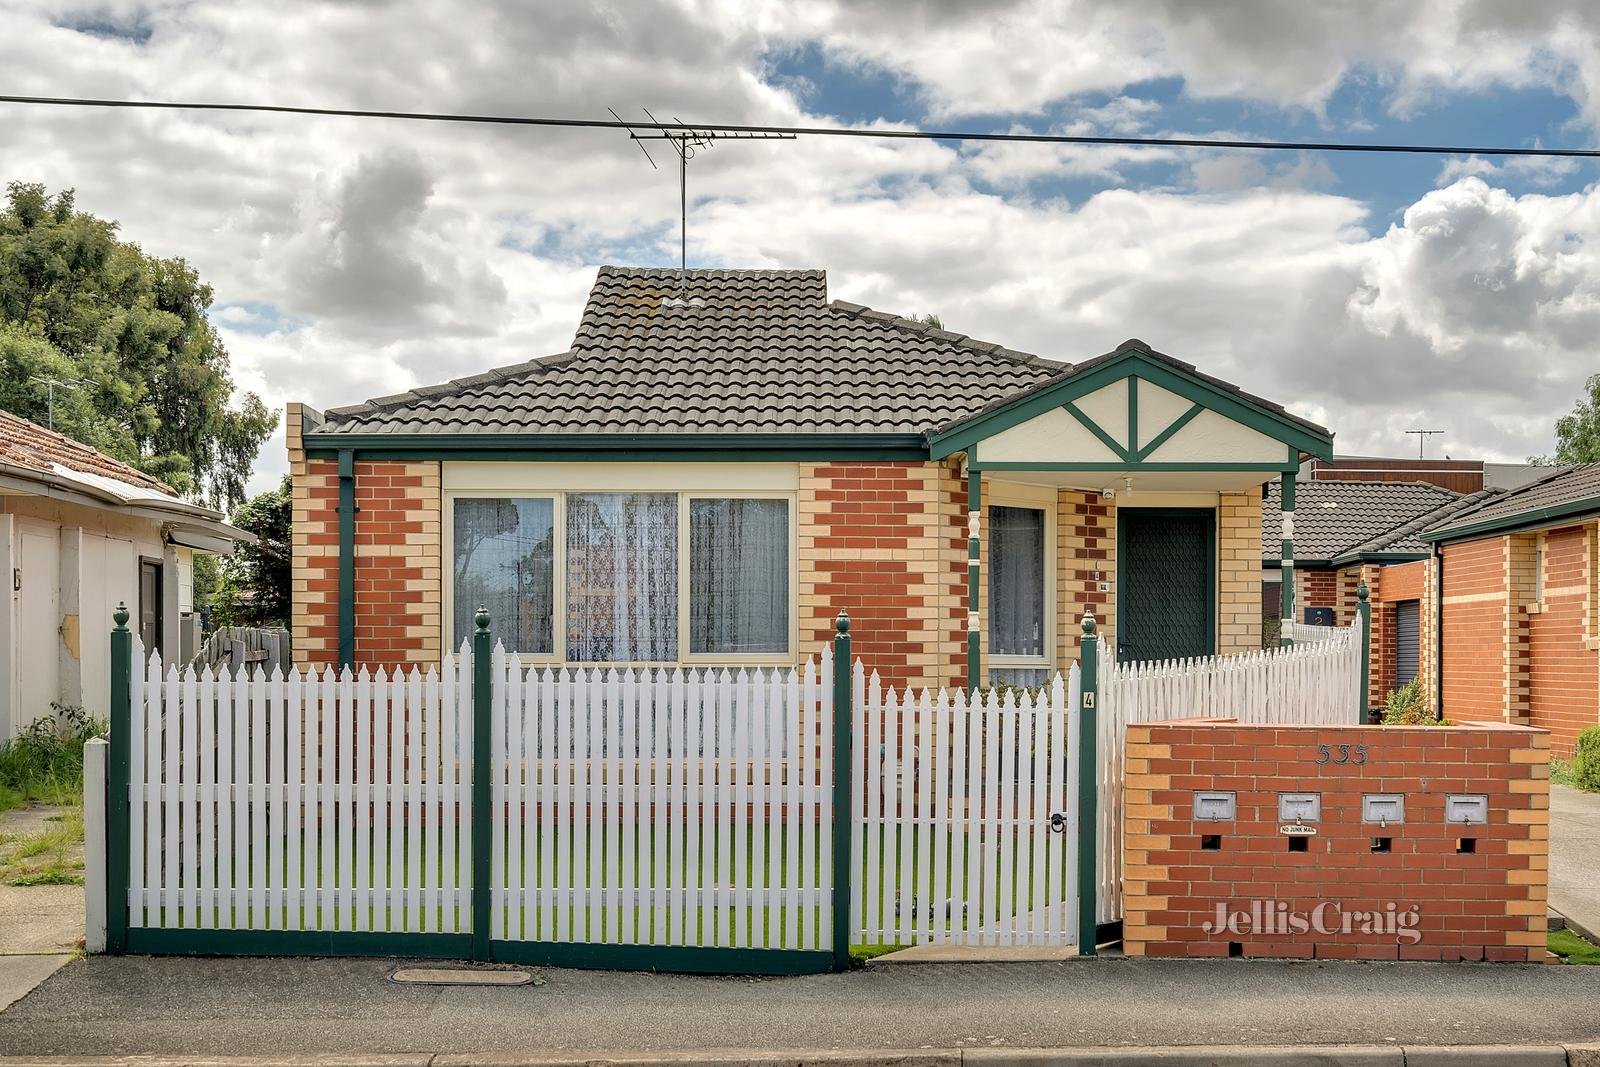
(1132, 364)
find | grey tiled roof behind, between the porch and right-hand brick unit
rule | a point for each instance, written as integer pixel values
(1337, 518)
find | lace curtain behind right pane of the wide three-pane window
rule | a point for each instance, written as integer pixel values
(738, 577)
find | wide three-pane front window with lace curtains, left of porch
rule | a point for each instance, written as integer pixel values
(626, 577)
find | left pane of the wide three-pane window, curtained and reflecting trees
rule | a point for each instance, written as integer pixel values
(505, 562)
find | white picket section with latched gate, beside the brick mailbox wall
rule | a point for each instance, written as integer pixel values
(956, 799)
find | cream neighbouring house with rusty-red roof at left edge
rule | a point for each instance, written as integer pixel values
(79, 535)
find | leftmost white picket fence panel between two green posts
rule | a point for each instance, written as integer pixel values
(300, 802)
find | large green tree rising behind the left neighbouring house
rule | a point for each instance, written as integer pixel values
(154, 382)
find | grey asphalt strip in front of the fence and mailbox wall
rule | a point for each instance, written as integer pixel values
(303, 1007)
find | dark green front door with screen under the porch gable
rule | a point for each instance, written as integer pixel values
(1167, 583)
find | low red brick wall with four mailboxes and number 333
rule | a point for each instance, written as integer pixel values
(1415, 887)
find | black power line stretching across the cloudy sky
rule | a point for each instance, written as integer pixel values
(817, 132)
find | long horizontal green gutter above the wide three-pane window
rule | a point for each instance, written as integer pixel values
(623, 447)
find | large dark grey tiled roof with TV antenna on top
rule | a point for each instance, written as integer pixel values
(726, 353)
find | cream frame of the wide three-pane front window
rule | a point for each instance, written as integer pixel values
(559, 565)
